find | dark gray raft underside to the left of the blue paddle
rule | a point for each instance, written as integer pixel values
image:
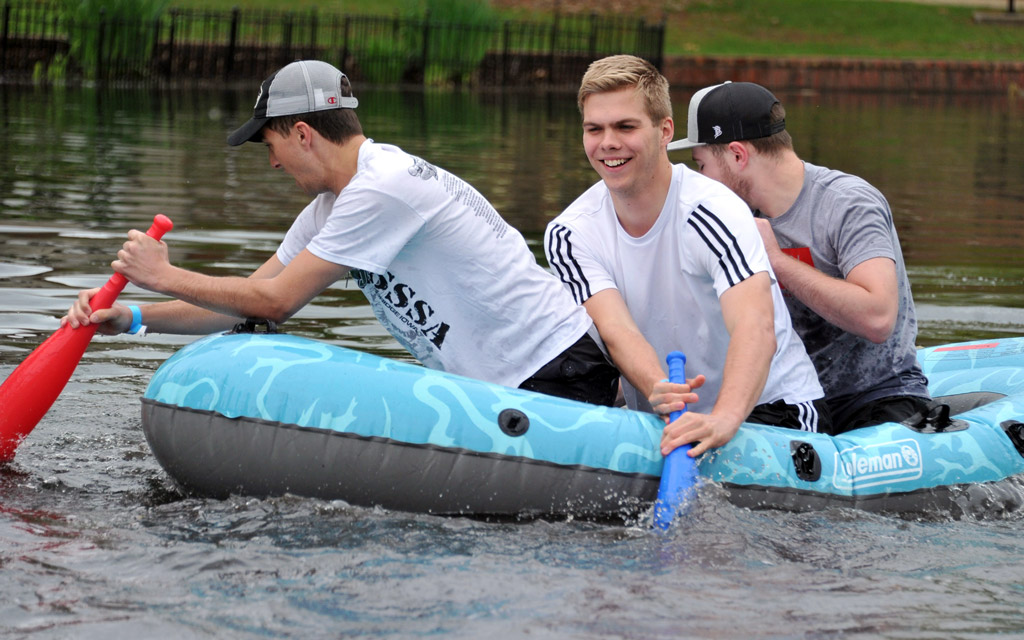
(215, 456)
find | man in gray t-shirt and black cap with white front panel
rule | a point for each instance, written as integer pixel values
(832, 243)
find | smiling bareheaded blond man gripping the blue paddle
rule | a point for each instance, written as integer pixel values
(664, 259)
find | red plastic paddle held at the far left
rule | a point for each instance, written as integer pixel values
(30, 391)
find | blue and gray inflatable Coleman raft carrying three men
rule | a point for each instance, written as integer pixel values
(272, 414)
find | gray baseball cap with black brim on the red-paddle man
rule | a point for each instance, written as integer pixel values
(301, 88)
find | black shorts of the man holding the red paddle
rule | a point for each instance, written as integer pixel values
(582, 373)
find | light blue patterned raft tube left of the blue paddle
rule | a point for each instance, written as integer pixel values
(295, 381)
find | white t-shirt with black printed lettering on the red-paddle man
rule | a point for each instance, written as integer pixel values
(453, 282)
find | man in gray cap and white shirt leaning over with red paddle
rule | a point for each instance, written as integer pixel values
(444, 273)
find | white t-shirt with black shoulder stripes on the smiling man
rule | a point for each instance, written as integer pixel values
(704, 242)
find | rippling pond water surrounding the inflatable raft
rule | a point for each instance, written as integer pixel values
(97, 542)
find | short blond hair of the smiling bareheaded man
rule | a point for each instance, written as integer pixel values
(618, 72)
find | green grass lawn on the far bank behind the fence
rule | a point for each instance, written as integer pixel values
(802, 28)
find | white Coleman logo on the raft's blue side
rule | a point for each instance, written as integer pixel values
(861, 467)
